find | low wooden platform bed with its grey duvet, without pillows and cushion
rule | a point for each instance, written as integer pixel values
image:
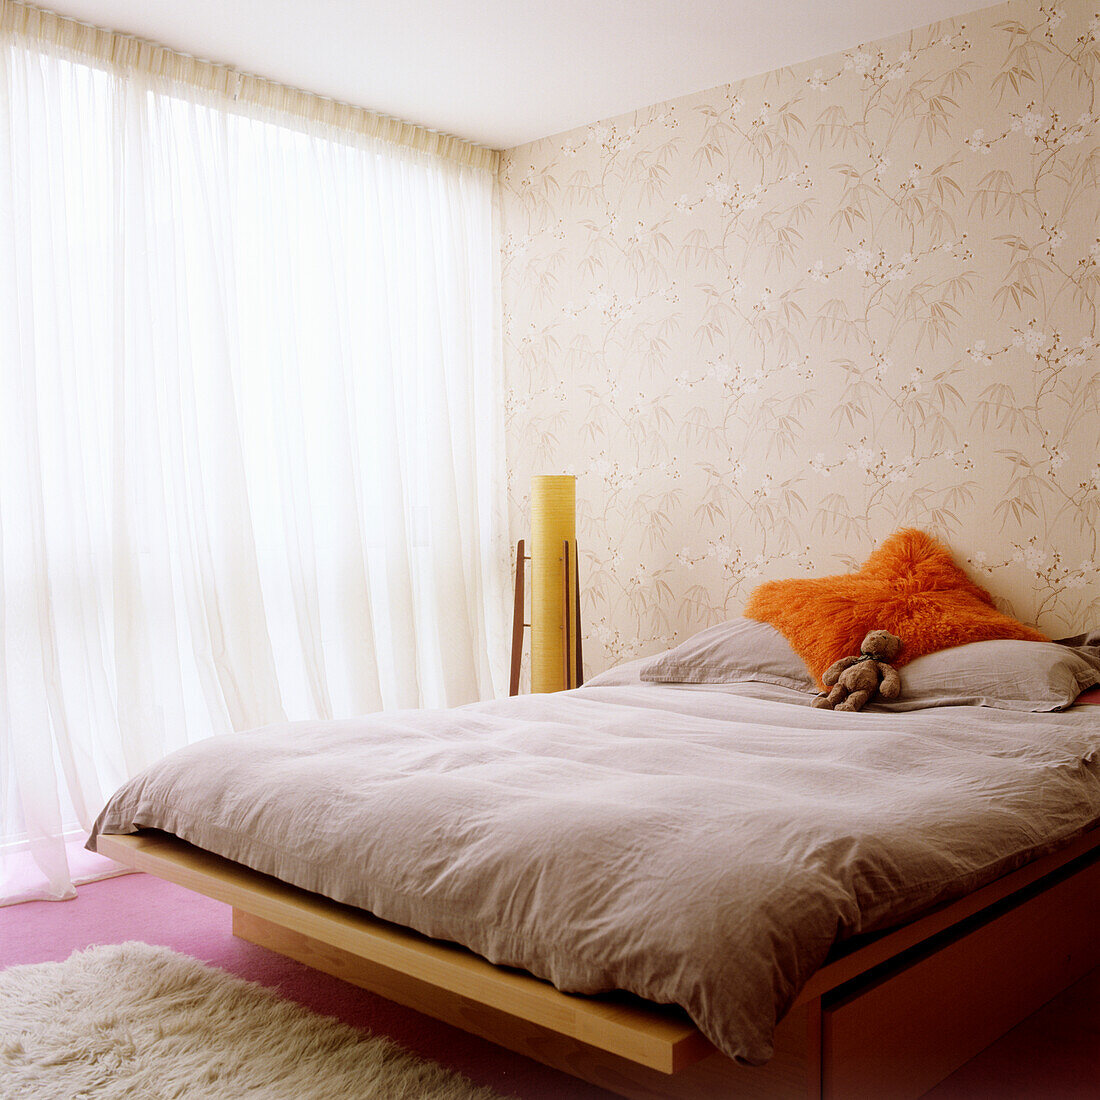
(668, 888)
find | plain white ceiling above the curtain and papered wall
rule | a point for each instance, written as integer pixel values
(508, 72)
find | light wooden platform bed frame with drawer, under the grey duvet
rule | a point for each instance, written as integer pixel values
(888, 1016)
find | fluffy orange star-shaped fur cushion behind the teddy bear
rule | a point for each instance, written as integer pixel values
(909, 587)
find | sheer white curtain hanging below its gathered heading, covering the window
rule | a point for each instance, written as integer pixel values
(250, 441)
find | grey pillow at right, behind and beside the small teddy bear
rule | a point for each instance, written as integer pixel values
(1010, 676)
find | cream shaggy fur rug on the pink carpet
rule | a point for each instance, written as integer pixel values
(145, 1024)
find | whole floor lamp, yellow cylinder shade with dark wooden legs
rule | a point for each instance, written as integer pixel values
(557, 662)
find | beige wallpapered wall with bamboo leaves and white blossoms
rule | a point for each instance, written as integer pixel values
(768, 324)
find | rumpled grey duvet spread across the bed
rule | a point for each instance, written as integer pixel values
(695, 845)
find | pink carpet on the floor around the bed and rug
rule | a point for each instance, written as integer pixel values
(1054, 1055)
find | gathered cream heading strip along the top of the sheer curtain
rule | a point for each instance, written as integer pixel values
(128, 53)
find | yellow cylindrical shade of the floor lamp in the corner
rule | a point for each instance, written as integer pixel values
(554, 619)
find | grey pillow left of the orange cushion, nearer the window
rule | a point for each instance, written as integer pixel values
(732, 653)
